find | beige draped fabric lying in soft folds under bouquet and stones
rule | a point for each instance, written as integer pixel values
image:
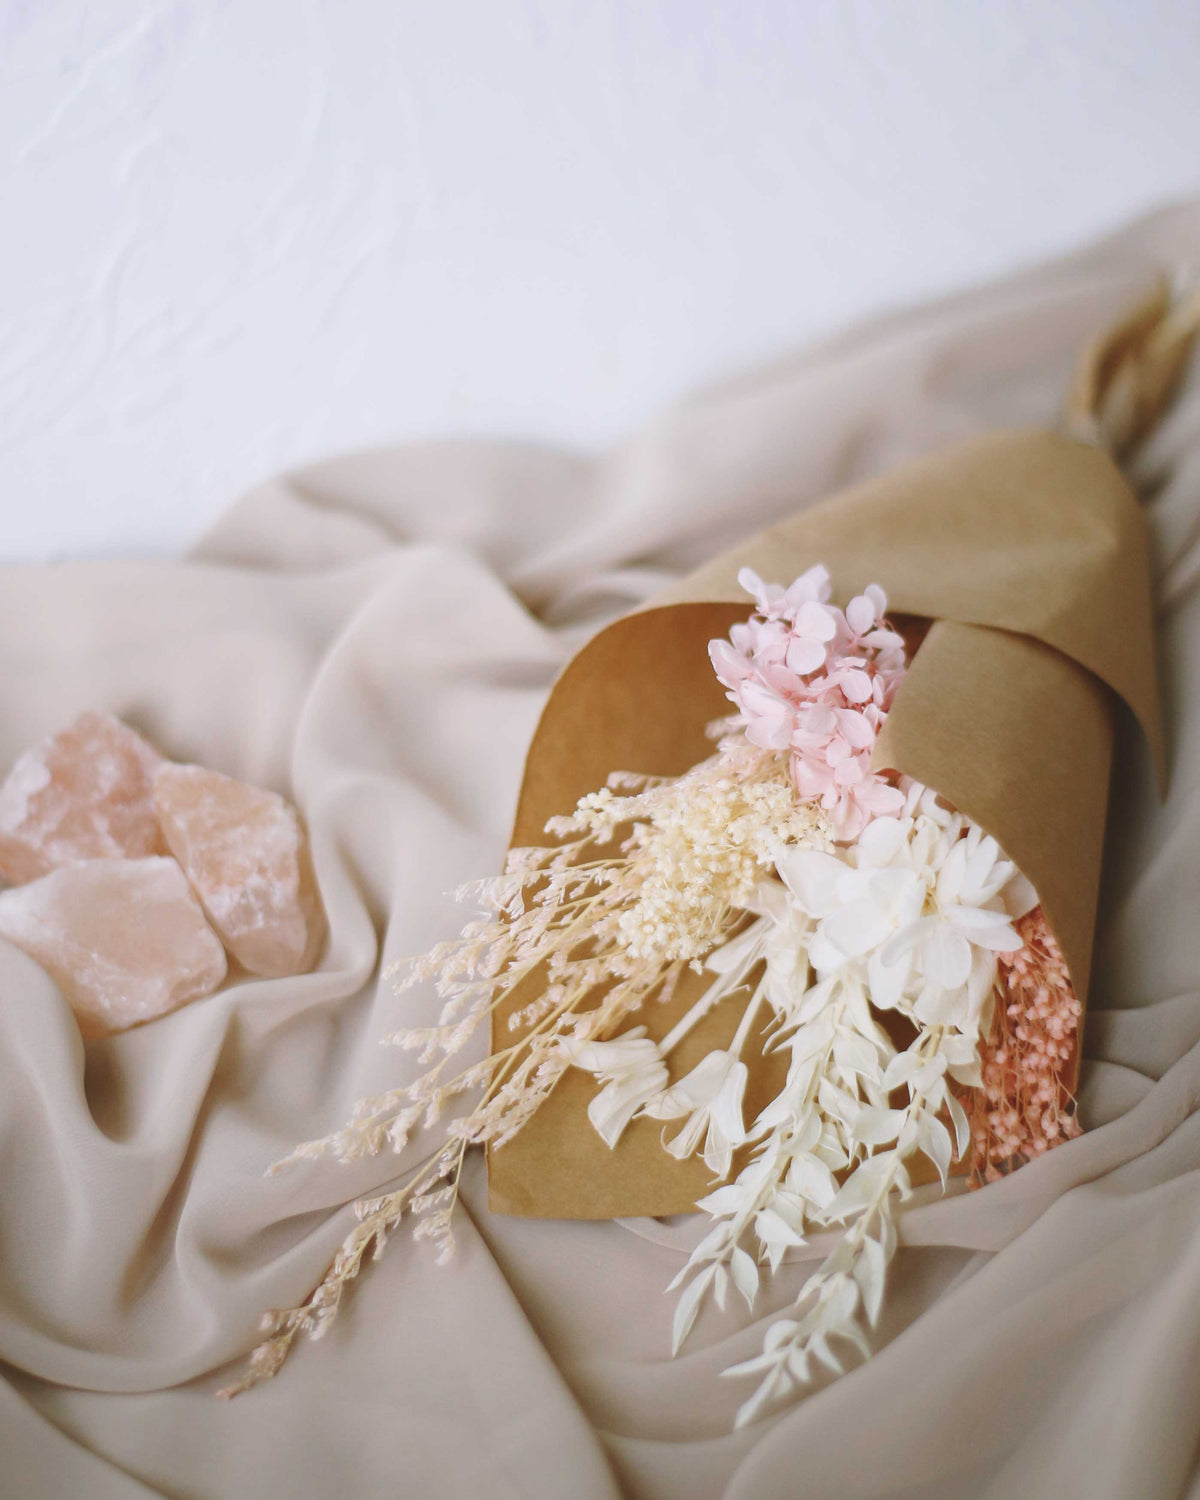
(376, 637)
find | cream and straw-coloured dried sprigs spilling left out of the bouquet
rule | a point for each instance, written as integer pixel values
(608, 932)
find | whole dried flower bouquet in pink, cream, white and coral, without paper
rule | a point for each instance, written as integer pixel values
(877, 938)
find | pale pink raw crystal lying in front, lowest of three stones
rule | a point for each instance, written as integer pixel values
(125, 940)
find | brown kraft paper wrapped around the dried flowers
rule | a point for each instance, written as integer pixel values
(1027, 554)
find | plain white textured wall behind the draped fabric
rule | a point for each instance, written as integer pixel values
(236, 235)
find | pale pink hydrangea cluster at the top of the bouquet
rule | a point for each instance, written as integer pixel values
(818, 682)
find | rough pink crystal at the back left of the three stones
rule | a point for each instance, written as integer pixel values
(83, 794)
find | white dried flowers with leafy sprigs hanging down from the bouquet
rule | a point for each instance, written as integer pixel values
(911, 919)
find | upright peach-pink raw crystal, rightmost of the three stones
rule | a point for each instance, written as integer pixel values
(248, 860)
